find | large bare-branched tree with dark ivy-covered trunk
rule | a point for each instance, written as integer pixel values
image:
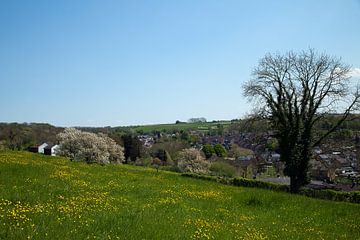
(295, 91)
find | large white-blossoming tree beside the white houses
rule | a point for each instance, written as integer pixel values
(89, 147)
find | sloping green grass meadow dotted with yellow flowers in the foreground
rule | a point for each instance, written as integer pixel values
(52, 198)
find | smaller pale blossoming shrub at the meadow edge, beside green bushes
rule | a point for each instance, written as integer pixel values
(190, 160)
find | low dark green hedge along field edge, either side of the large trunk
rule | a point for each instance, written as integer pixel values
(353, 197)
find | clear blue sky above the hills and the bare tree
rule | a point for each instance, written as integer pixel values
(99, 63)
